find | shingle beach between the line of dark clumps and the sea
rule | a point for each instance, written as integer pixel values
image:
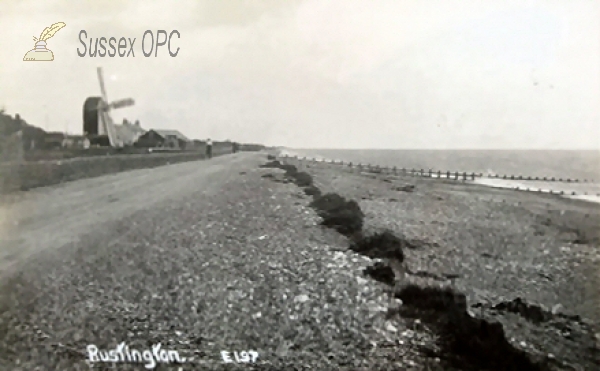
(487, 255)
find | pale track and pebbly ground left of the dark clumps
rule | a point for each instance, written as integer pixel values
(201, 257)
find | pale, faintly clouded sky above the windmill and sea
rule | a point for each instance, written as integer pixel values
(431, 74)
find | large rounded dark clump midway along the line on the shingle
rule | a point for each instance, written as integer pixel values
(344, 216)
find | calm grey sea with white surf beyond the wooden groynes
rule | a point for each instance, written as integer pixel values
(581, 165)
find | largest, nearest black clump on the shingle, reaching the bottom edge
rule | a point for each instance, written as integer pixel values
(465, 342)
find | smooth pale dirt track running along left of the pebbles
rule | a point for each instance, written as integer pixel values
(53, 216)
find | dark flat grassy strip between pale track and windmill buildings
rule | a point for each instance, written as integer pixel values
(25, 175)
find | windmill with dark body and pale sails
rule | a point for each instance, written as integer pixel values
(98, 126)
